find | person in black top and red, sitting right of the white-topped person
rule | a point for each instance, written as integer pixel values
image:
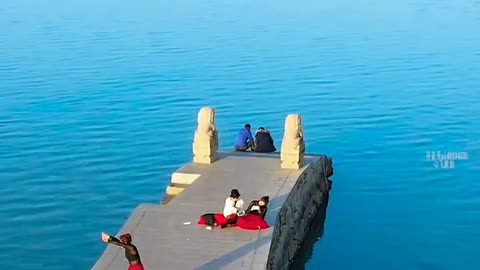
(254, 218)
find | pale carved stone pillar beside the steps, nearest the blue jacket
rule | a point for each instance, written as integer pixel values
(205, 142)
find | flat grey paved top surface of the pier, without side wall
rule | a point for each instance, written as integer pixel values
(167, 241)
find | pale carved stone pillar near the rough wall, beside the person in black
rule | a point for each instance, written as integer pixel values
(293, 145)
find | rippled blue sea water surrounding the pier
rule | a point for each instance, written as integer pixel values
(98, 104)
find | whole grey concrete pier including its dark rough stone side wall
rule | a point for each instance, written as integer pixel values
(167, 234)
